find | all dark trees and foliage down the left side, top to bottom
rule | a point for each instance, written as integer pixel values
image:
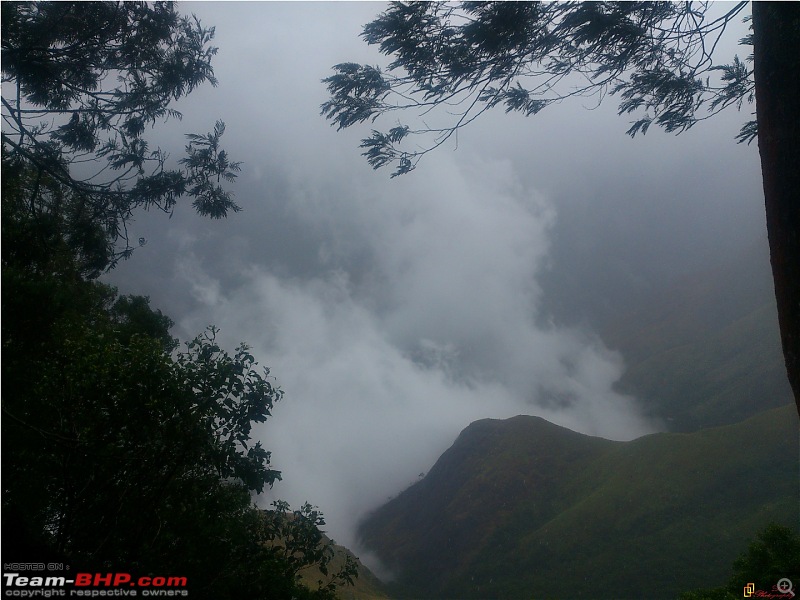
(120, 451)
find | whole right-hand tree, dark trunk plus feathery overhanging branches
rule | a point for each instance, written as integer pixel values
(657, 57)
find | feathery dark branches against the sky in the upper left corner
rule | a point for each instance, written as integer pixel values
(82, 82)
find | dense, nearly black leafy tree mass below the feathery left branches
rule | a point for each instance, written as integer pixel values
(118, 456)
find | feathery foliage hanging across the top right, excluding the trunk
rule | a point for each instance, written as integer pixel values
(469, 57)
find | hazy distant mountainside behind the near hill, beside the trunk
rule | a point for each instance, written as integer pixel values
(705, 350)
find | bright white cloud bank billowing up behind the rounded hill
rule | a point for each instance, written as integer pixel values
(419, 319)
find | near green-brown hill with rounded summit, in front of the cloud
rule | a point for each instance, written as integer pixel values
(525, 508)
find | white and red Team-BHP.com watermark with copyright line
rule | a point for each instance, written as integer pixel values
(57, 580)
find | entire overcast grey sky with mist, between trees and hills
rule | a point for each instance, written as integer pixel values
(394, 312)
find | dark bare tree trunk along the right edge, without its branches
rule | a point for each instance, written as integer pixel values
(776, 49)
